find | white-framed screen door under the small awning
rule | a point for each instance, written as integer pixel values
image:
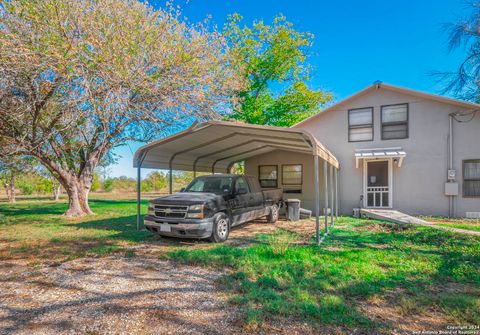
(377, 183)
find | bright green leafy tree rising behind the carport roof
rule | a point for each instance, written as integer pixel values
(273, 61)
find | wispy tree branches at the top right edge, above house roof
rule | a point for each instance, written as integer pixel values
(465, 34)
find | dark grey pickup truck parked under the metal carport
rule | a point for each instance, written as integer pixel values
(210, 205)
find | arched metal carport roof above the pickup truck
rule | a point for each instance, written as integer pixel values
(215, 146)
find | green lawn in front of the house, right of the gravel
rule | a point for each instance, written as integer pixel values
(412, 270)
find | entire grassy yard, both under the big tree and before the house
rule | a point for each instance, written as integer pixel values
(368, 277)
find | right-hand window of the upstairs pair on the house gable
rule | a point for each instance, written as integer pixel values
(394, 121)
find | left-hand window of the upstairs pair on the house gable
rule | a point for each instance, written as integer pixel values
(360, 124)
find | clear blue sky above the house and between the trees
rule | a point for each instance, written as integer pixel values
(356, 42)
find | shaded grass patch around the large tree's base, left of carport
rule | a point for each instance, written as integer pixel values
(37, 228)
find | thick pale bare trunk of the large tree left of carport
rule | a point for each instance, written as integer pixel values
(77, 189)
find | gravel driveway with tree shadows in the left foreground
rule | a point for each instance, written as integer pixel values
(112, 295)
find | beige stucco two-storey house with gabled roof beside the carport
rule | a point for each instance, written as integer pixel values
(397, 148)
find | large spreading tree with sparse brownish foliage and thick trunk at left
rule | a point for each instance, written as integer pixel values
(78, 77)
